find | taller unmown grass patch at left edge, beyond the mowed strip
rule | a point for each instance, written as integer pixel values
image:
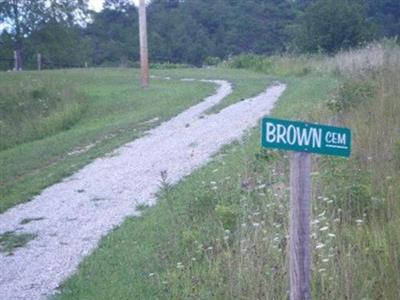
(33, 108)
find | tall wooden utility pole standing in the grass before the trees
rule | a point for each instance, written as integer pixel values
(144, 52)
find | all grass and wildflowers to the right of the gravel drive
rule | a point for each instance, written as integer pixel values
(222, 232)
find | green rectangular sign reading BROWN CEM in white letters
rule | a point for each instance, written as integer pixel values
(305, 137)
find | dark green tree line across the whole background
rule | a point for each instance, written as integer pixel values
(196, 32)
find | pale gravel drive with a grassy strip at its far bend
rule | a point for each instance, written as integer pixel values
(78, 211)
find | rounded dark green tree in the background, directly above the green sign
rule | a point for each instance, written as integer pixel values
(331, 25)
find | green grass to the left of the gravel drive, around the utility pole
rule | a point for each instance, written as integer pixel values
(54, 122)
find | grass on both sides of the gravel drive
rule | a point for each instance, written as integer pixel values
(221, 233)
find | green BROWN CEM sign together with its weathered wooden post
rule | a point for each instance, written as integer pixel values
(303, 138)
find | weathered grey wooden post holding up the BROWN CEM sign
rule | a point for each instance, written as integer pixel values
(300, 217)
